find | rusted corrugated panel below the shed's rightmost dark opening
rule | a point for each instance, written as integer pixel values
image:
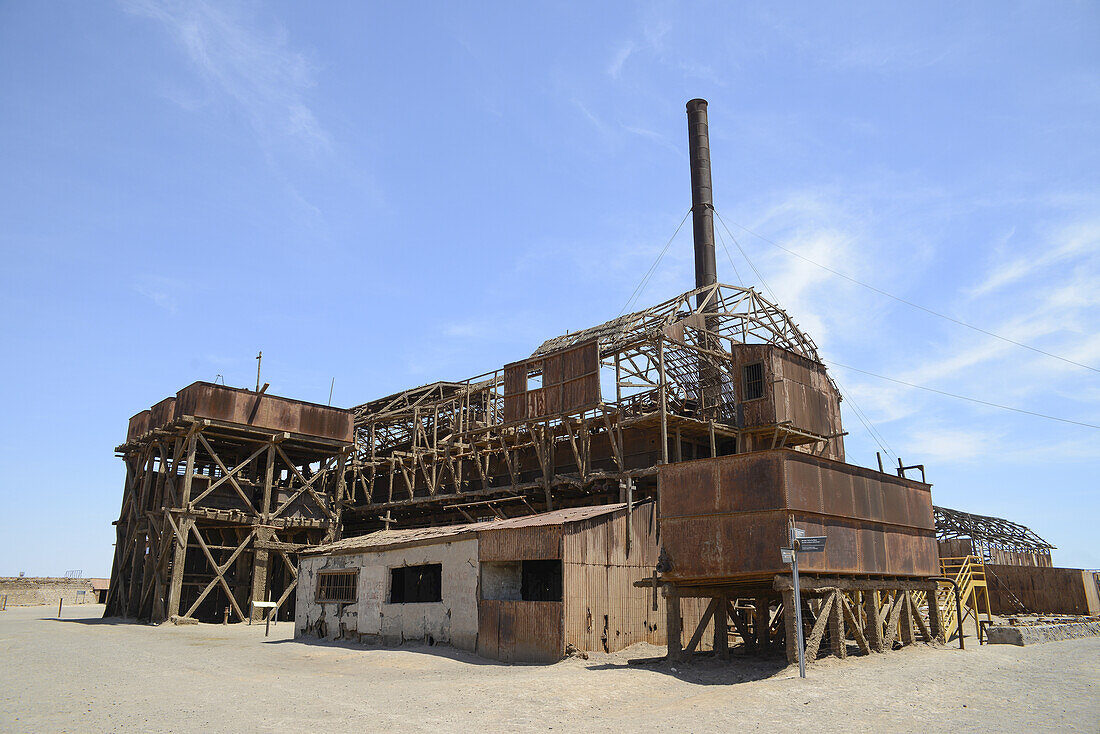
(521, 632)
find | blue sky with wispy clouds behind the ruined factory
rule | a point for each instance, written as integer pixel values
(389, 194)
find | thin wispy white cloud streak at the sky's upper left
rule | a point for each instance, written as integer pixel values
(257, 69)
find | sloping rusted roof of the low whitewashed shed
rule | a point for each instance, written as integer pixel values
(384, 540)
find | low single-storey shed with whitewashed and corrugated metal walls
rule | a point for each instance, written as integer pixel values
(514, 590)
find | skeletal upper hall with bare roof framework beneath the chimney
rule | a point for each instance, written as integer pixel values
(586, 413)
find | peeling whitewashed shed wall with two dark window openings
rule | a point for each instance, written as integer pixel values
(453, 621)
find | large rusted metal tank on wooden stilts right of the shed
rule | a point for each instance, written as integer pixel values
(727, 519)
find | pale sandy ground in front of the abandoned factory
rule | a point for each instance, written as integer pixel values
(86, 674)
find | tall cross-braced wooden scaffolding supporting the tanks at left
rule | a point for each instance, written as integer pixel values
(213, 513)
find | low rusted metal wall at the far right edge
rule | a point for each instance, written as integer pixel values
(1042, 590)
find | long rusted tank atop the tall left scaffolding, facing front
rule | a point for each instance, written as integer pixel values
(204, 400)
